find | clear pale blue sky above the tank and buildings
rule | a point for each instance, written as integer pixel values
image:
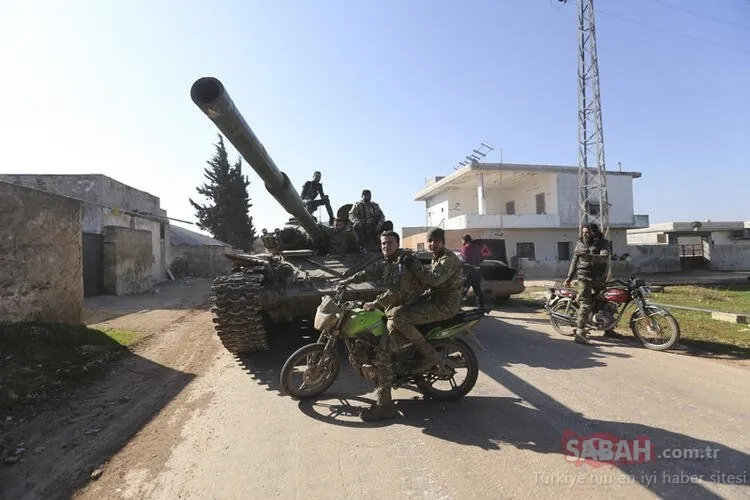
(379, 95)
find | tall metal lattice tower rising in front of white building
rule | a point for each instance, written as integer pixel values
(592, 182)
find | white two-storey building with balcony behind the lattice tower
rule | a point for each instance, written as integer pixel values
(533, 208)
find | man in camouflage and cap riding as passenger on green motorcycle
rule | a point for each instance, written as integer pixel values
(444, 277)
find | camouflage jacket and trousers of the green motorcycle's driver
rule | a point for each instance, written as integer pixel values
(403, 287)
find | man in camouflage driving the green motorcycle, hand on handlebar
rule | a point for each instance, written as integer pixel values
(403, 287)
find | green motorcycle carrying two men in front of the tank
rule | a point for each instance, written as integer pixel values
(313, 368)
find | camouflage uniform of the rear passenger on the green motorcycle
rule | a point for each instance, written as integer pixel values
(445, 279)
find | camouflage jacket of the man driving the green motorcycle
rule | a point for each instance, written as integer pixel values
(403, 287)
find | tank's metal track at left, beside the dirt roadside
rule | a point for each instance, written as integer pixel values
(238, 317)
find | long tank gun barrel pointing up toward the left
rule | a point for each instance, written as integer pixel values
(211, 97)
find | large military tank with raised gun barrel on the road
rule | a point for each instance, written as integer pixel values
(304, 259)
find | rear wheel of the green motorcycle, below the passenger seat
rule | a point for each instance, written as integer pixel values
(456, 356)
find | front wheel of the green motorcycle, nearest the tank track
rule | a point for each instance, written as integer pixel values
(315, 368)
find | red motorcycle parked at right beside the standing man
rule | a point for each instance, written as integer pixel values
(609, 306)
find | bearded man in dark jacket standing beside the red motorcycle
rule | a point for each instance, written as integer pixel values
(589, 266)
